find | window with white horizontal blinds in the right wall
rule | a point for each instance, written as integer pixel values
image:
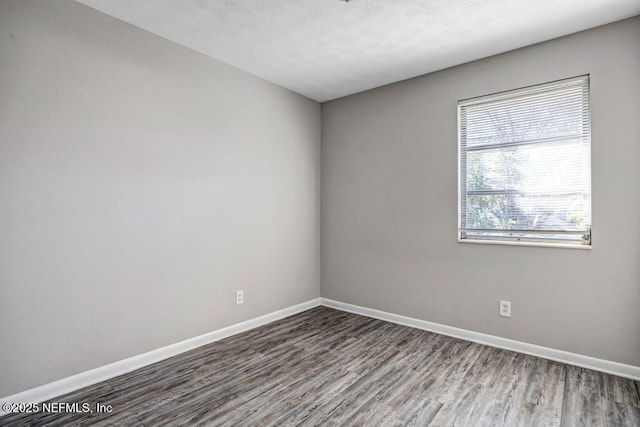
(525, 166)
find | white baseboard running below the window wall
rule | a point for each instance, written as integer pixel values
(606, 366)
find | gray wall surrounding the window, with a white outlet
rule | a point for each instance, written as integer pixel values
(389, 205)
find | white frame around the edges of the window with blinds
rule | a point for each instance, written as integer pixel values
(519, 240)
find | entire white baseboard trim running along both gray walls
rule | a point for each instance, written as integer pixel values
(93, 376)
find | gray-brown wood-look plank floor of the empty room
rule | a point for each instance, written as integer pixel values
(327, 367)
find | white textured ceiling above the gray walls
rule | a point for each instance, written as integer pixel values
(325, 49)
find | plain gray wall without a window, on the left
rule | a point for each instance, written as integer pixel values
(141, 183)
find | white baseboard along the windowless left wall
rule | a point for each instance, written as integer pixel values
(102, 373)
